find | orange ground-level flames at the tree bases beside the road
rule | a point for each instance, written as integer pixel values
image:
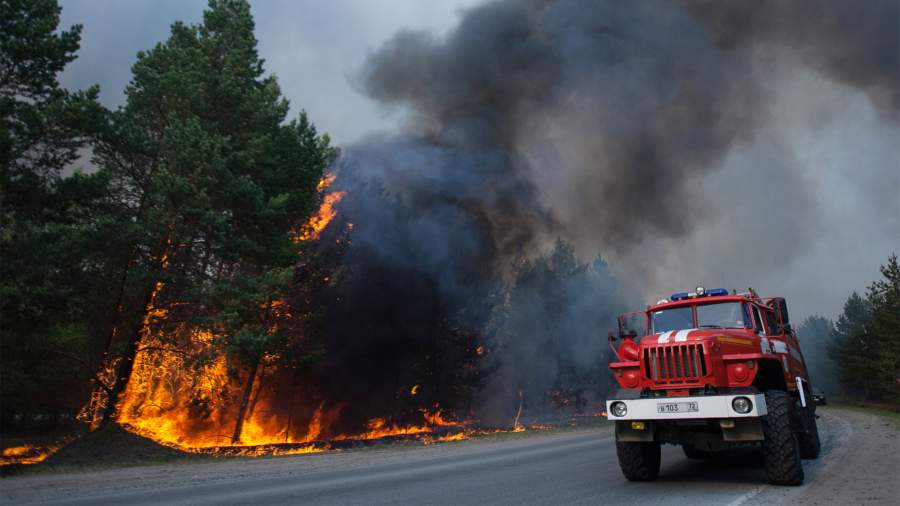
(194, 408)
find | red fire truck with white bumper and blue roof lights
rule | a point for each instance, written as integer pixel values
(711, 371)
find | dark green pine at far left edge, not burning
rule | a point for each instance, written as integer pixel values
(52, 256)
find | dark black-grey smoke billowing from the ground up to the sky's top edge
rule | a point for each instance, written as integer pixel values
(538, 124)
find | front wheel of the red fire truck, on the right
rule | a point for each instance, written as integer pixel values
(781, 449)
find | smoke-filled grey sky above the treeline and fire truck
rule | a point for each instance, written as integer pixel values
(723, 143)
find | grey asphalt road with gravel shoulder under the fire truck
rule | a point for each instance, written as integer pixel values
(859, 463)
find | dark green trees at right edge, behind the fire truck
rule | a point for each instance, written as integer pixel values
(858, 355)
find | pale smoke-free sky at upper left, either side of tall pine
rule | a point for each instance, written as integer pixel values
(314, 47)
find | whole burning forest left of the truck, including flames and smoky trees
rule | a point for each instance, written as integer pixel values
(194, 276)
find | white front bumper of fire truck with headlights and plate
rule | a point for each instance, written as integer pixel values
(681, 408)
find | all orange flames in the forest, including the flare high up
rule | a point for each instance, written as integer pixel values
(186, 393)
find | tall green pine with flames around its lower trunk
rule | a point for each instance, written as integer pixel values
(214, 184)
